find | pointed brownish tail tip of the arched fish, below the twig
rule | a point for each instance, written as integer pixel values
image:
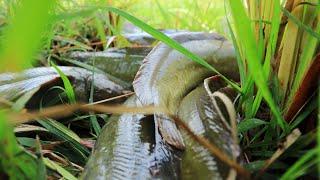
(169, 131)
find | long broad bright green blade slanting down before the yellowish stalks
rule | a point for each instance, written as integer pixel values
(246, 36)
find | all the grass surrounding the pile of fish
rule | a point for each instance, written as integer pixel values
(277, 44)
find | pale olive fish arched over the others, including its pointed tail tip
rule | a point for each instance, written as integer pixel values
(166, 75)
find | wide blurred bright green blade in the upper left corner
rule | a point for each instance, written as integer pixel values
(23, 36)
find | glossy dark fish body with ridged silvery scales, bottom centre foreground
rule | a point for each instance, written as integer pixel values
(126, 149)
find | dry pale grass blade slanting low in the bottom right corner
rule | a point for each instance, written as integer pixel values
(291, 138)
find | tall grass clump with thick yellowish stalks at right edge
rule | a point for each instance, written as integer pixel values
(260, 26)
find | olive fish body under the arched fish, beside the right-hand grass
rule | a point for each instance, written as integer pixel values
(197, 110)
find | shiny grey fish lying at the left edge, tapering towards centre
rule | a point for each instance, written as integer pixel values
(14, 85)
